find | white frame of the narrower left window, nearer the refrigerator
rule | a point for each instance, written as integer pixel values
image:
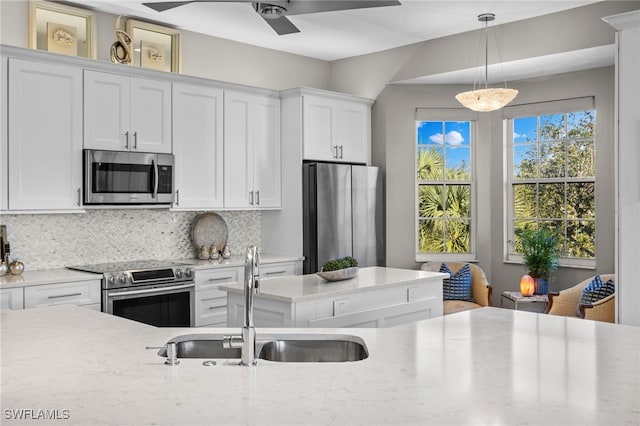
(444, 115)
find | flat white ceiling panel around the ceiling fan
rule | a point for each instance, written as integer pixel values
(335, 35)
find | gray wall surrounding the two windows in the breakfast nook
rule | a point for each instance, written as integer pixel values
(394, 149)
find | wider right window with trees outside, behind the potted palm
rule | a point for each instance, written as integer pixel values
(551, 178)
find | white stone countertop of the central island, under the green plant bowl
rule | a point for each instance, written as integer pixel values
(298, 288)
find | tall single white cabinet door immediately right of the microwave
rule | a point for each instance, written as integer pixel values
(198, 146)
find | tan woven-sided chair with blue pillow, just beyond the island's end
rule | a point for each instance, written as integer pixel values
(481, 290)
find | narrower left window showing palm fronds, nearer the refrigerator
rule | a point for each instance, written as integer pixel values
(444, 190)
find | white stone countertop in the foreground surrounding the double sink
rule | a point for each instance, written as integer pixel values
(485, 366)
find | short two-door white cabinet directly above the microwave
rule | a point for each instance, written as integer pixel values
(123, 113)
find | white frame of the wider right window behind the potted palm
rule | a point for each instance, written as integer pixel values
(567, 106)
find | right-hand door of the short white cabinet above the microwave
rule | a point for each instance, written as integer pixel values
(150, 115)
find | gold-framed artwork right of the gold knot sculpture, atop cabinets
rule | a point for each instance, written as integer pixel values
(154, 46)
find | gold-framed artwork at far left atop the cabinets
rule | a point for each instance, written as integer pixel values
(61, 29)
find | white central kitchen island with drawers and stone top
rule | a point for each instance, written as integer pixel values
(376, 297)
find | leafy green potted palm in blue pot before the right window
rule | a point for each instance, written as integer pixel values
(539, 248)
